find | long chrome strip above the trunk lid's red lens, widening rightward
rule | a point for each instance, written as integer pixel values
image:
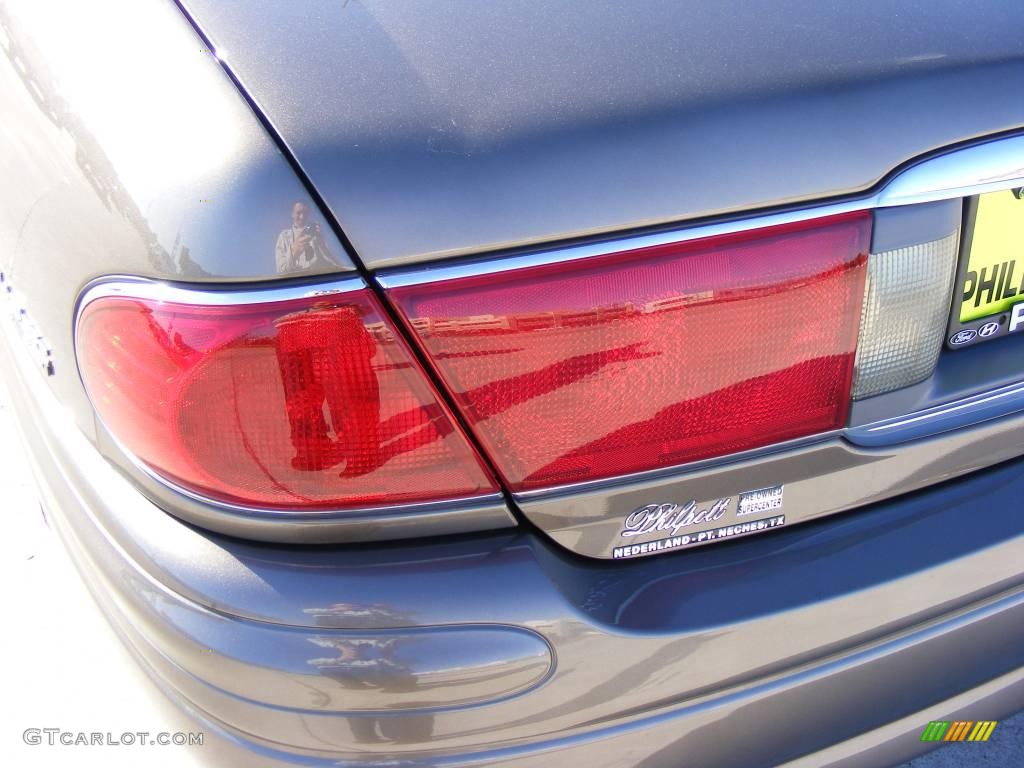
(986, 167)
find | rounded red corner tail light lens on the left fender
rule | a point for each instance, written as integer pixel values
(313, 403)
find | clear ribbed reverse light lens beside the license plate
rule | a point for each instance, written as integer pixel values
(907, 305)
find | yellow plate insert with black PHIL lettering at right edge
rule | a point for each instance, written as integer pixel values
(994, 281)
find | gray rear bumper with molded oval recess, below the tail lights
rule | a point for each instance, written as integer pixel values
(834, 643)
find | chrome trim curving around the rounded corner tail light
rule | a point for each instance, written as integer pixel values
(461, 516)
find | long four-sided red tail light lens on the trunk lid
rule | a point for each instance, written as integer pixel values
(651, 358)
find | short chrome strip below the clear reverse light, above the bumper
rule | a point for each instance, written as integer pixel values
(933, 421)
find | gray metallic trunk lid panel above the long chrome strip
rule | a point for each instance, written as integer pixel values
(436, 130)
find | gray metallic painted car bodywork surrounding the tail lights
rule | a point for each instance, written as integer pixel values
(818, 646)
